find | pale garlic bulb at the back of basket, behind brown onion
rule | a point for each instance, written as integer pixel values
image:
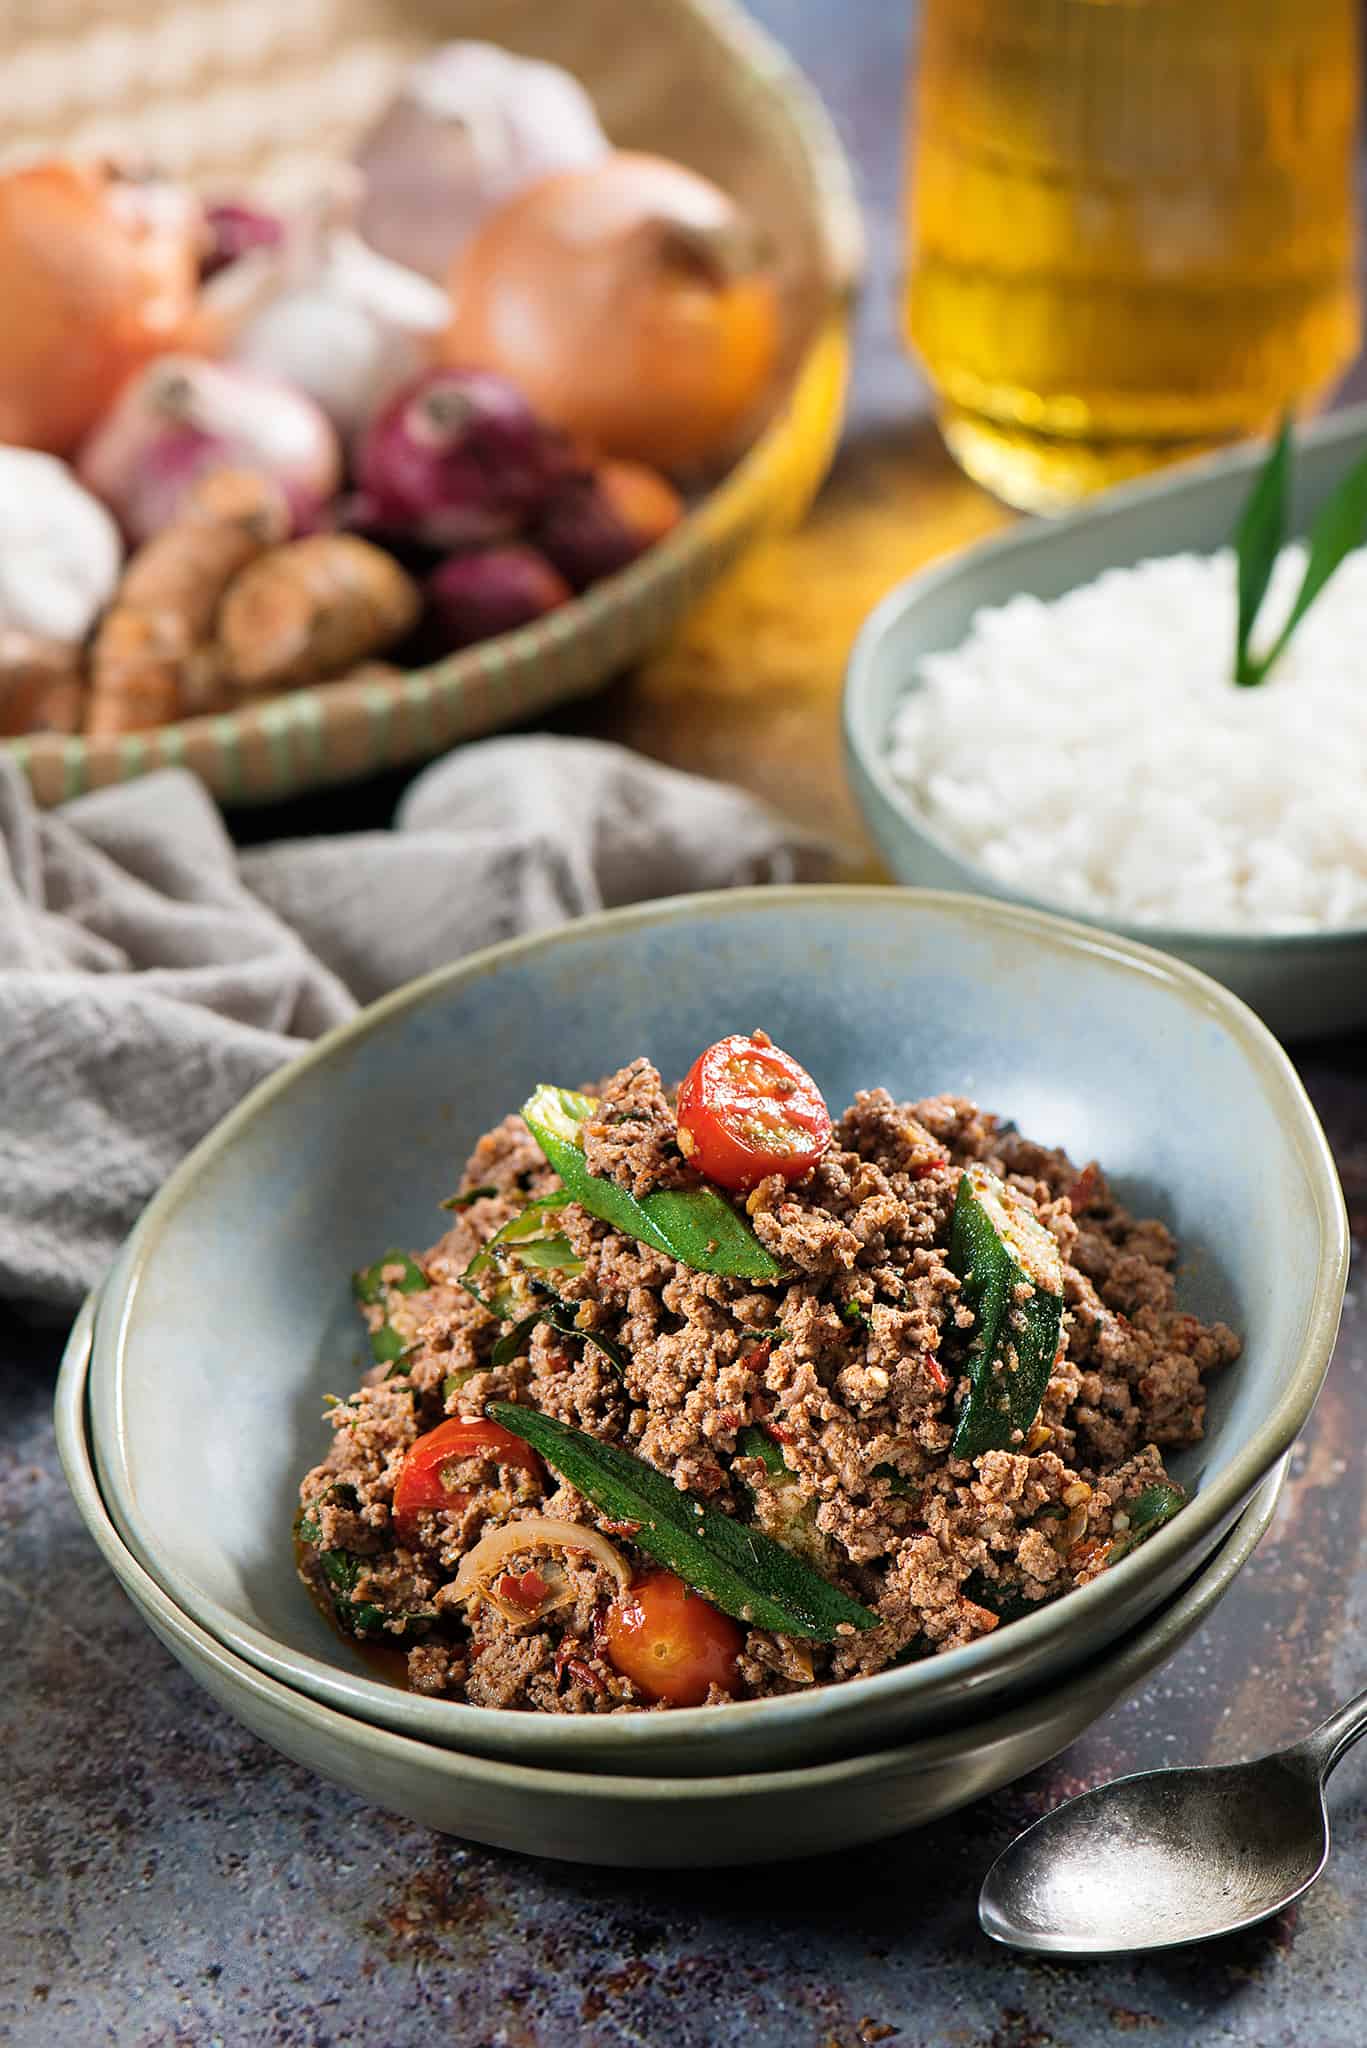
(470, 128)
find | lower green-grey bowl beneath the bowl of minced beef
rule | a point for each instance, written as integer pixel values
(649, 1822)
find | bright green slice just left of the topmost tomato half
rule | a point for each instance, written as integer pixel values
(694, 1226)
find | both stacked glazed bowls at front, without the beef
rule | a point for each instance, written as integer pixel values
(192, 1392)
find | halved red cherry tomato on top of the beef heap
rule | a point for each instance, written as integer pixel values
(749, 1111)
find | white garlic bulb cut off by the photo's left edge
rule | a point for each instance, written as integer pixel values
(60, 550)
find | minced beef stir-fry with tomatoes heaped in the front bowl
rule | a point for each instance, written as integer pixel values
(817, 1406)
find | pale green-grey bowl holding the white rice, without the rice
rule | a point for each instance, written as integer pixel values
(1302, 984)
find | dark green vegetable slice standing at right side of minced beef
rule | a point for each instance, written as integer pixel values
(1011, 1275)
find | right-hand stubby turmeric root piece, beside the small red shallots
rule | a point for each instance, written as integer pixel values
(313, 609)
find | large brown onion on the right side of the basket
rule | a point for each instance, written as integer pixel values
(630, 306)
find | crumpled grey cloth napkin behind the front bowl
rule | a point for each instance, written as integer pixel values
(151, 974)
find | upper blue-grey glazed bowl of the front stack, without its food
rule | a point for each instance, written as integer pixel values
(229, 1314)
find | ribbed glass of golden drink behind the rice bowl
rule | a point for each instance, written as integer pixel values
(1132, 228)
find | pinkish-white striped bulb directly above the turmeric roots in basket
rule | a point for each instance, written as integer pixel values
(185, 417)
